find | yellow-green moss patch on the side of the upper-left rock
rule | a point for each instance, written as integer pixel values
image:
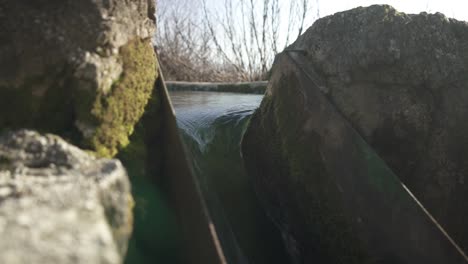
(114, 115)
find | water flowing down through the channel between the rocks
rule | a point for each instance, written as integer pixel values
(212, 125)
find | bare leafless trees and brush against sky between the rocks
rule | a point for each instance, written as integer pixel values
(233, 41)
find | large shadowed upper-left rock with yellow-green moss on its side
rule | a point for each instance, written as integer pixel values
(81, 69)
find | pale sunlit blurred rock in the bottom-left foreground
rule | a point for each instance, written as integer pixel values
(58, 204)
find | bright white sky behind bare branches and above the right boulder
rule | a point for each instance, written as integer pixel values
(457, 9)
